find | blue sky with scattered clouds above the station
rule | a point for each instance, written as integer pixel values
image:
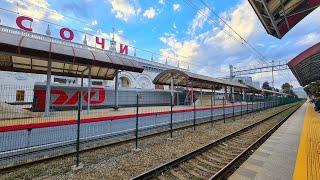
(184, 32)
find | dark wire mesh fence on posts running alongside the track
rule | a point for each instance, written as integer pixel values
(27, 135)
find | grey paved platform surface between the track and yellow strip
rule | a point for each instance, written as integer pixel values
(276, 157)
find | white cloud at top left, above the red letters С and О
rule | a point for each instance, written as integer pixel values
(39, 9)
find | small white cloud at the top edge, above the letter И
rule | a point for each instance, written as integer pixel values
(123, 9)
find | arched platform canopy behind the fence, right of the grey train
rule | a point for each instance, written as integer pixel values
(188, 79)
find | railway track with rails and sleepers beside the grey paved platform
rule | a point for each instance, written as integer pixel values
(218, 159)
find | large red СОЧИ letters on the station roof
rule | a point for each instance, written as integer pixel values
(68, 35)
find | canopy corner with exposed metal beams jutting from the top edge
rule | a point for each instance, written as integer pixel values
(280, 16)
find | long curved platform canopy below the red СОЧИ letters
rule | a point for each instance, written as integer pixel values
(31, 54)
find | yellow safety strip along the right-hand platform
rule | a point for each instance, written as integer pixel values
(308, 156)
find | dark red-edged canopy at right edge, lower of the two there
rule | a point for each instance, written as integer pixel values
(306, 66)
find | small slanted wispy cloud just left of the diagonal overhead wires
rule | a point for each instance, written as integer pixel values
(198, 21)
